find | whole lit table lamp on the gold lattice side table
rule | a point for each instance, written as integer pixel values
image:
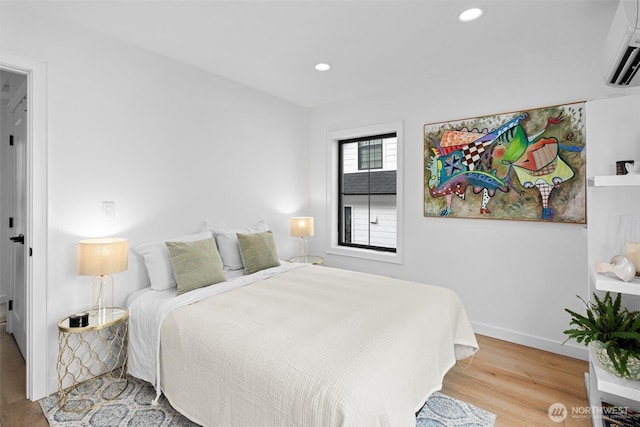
(100, 258)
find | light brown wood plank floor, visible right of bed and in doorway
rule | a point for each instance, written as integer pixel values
(515, 382)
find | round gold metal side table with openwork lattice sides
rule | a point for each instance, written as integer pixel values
(92, 359)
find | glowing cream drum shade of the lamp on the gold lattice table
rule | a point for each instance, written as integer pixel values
(100, 257)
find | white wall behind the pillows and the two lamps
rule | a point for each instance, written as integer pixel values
(173, 146)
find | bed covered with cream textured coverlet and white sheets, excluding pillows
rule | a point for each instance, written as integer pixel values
(298, 345)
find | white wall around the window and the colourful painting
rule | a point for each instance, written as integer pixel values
(514, 277)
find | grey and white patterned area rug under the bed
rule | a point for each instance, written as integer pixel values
(132, 409)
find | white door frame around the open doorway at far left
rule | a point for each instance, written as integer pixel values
(36, 228)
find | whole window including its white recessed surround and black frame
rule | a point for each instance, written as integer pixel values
(364, 178)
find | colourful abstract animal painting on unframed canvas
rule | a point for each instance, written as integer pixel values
(526, 165)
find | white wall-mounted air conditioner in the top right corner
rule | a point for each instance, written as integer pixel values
(621, 58)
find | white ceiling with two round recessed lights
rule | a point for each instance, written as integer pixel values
(373, 46)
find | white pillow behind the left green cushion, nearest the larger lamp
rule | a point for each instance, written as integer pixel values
(158, 263)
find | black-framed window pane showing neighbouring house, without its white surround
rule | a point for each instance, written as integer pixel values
(367, 192)
